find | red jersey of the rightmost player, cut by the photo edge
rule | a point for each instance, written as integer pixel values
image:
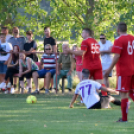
(124, 45)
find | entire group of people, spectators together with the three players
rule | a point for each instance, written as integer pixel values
(94, 60)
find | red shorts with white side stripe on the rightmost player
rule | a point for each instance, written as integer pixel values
(125, 83)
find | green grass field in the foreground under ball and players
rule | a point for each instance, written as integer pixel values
(51, 115)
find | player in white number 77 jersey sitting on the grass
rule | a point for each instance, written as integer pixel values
(88, 90)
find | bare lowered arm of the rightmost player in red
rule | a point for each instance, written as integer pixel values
(115, 60)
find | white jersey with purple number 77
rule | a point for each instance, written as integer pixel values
(87, 90)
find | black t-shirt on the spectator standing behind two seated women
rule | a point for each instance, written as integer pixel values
(28, 46)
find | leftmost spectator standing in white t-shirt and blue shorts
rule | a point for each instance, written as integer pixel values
(4, 47)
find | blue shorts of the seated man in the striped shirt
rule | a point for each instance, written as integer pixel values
(43, 72)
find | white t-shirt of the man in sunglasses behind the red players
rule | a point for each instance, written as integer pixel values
(106, 59)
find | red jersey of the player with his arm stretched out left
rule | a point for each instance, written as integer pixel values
(91, 59)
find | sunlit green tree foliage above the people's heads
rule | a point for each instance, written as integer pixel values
(68, 17)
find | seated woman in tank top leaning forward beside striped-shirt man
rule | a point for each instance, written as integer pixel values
(26, 69)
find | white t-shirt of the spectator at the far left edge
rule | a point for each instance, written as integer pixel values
(6, 47)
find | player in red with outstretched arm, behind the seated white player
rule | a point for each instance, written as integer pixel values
(91, 55)
